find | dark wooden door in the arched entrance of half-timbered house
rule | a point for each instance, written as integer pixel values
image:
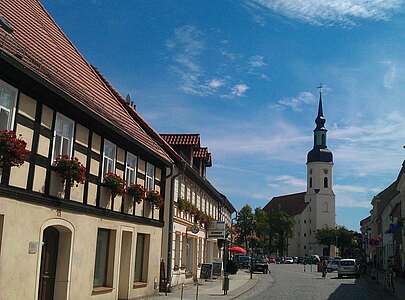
(48, 263)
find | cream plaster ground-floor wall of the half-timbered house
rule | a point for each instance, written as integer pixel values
(19, 270)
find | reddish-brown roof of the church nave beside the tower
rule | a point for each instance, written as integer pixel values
(292, 204)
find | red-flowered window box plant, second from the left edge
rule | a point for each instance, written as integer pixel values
(71, 170)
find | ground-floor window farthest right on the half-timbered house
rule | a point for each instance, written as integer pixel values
(141, 258)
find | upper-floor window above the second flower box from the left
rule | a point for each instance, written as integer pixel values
(63, 136)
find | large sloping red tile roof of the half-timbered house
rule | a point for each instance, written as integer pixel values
(40, 45)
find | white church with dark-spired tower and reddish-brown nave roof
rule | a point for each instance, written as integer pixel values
(315, 208)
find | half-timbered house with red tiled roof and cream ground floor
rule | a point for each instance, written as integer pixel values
(71, 242)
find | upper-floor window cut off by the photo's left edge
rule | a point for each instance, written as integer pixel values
(8, 98)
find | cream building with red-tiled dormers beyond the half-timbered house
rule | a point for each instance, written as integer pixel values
(184, 249)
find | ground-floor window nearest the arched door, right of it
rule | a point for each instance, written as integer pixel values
(101, 265)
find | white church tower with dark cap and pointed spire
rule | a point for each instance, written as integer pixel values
(320, 198)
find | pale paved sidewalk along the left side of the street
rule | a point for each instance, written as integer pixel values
(239, 284)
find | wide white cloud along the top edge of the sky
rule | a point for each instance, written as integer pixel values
(328, 12)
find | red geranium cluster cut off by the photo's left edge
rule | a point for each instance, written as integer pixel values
(13, 150)
